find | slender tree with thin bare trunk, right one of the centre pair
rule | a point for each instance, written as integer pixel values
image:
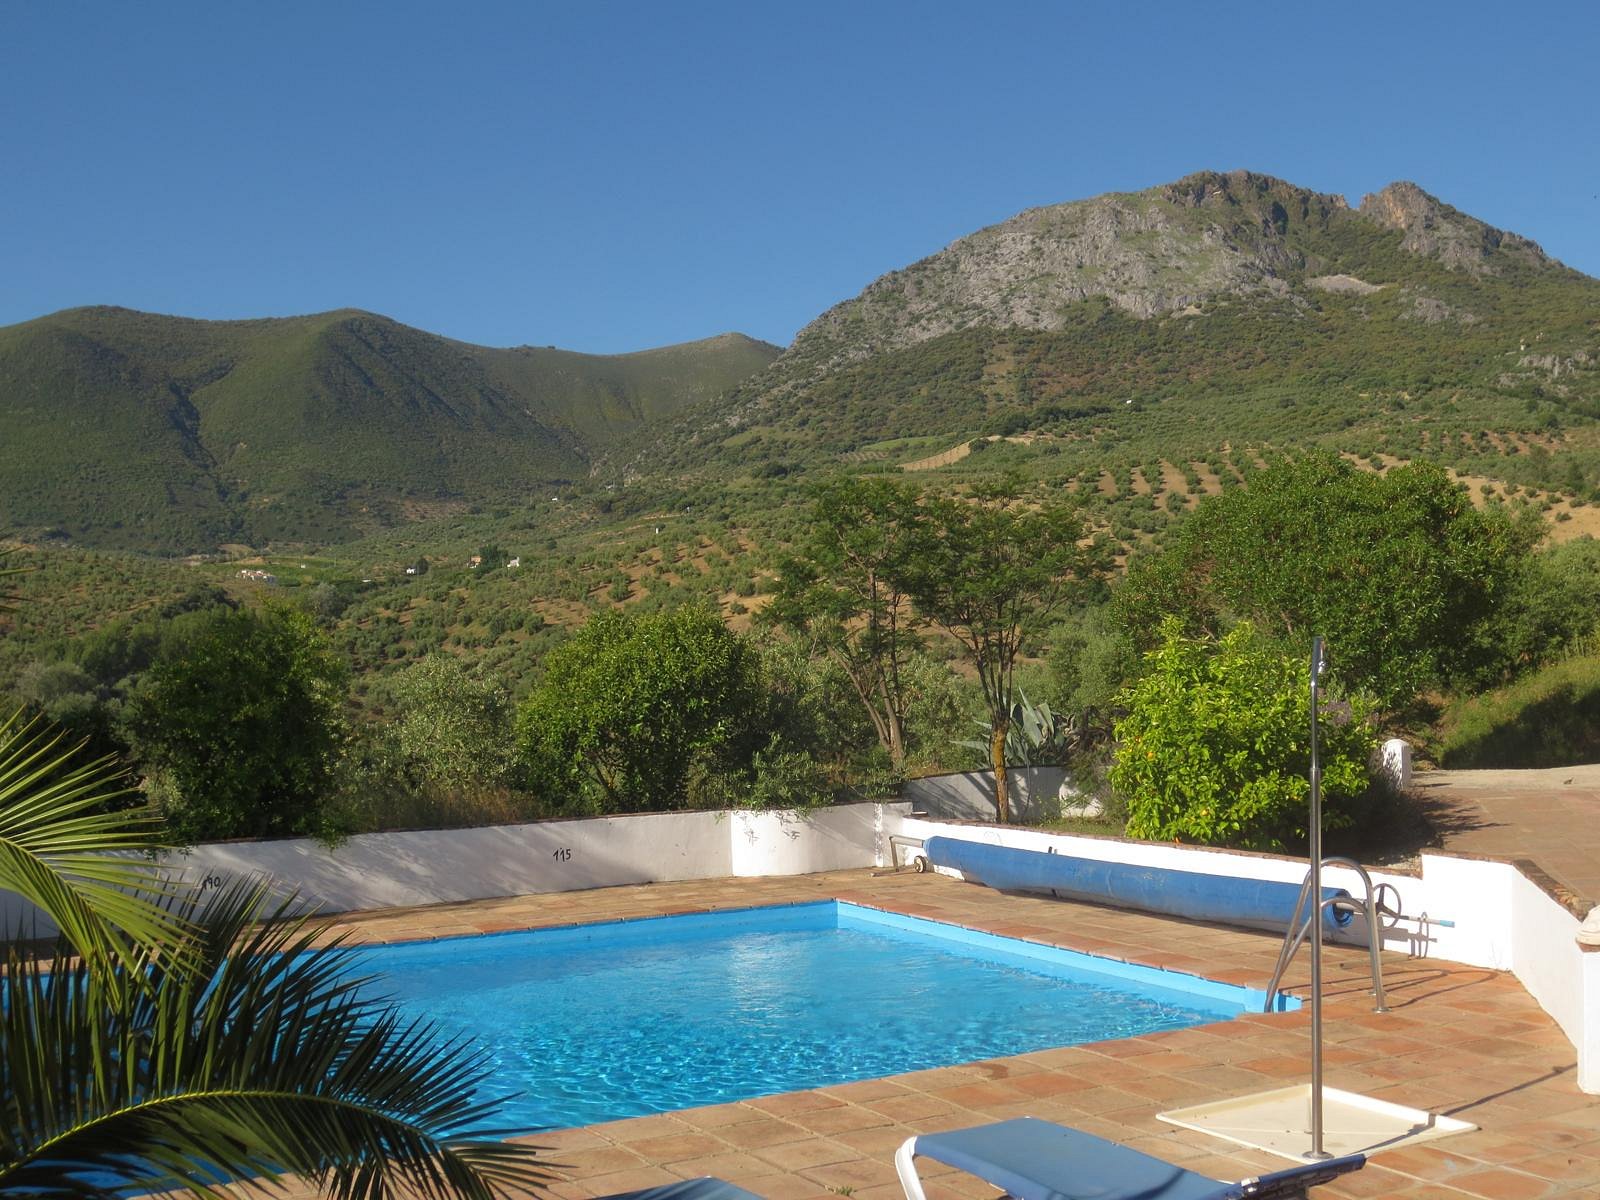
(990, 570)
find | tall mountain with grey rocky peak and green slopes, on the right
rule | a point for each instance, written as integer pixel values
(1217, 290)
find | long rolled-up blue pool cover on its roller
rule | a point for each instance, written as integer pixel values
(1178, 894)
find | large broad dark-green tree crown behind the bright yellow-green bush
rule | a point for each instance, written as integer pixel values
(1398, 570)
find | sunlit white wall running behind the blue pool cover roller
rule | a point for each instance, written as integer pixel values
(1503, 921)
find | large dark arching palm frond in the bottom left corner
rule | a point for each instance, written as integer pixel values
(254, 1055)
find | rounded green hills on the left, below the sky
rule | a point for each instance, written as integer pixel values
(137, 431)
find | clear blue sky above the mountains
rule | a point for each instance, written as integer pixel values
(609, 177)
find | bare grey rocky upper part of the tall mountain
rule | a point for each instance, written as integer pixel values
(1164, 252)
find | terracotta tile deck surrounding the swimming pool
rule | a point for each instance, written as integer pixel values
(1458, 1041)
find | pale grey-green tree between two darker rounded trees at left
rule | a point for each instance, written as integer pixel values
(454, 727)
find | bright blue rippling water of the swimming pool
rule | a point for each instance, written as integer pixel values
(604, 1022)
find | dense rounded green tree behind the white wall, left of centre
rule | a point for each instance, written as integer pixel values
(636, 703)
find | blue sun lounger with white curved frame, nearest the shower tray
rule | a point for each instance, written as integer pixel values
(1039, 1161)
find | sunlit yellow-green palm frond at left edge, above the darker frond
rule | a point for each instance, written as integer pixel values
(70, 855)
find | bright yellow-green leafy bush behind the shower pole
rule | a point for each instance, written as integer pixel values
(1217, 745)
